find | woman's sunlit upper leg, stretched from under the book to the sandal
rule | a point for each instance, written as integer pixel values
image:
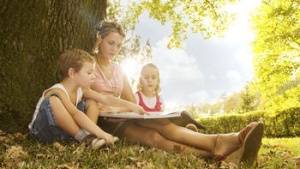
(227, 143)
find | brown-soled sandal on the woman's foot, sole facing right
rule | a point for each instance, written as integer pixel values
(250, 139)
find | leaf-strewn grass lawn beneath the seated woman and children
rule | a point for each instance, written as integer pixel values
(19, 151)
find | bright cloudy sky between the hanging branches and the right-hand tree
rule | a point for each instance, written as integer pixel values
(203, 69)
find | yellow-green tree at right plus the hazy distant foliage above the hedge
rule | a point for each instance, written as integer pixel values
(275, 86)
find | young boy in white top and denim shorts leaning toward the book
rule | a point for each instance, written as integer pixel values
(56, 116)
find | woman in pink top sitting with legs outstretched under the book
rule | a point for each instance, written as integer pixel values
(160, 133)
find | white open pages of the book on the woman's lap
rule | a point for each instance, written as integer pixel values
(150, 115)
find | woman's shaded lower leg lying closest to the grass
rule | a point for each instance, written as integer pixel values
(146, 136)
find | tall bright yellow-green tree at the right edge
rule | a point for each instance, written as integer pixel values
(277, 50)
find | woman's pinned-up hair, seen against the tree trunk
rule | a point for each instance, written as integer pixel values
(104, 29)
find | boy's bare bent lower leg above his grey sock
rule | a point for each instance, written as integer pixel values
(62, 117)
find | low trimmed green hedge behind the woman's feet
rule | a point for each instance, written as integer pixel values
(284, 124)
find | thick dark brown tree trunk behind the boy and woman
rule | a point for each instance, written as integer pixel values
(33, 35)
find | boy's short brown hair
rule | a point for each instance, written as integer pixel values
(73, 58)
